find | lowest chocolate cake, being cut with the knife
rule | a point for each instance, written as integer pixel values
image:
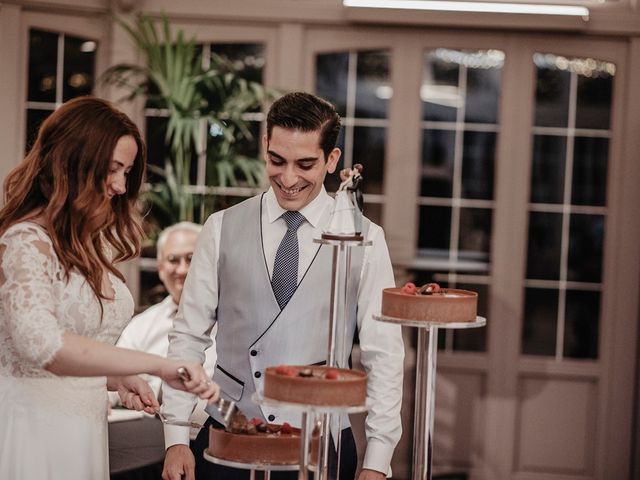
(257, 442)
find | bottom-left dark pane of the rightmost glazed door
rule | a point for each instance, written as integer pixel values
(540, 321)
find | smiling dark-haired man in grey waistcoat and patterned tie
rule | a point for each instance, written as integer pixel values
(231, 282)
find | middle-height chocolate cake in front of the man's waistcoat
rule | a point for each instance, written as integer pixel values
(321, 386)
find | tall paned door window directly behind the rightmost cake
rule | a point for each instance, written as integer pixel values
(460, 98)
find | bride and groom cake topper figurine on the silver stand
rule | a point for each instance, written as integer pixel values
(346, 219)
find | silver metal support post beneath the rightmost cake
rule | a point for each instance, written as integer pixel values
(425, 402)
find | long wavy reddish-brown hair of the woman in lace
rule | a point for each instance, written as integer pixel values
(63, 180)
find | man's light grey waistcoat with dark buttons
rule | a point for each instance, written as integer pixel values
(253, 333)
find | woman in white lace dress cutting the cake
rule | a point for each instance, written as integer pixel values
(69, 216)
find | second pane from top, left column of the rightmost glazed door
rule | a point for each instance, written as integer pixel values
(547, 171)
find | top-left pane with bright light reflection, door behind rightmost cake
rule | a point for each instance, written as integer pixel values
(439, 92)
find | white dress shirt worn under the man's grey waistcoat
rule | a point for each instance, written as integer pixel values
(381, 343)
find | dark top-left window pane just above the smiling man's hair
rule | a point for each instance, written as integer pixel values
(332, 71)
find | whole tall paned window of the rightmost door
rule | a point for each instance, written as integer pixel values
(568, 195)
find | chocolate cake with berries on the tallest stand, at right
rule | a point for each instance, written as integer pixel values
(429, 303)
